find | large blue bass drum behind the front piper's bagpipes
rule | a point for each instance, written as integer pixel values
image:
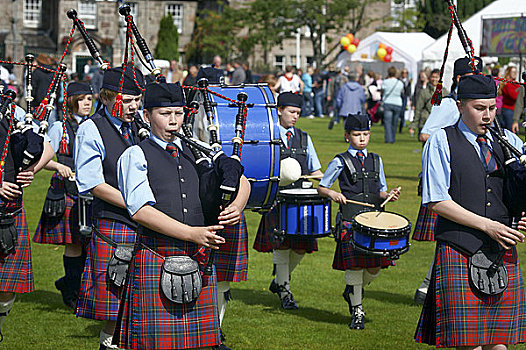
(260, 152)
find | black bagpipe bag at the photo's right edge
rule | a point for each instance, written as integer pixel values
(515, 188)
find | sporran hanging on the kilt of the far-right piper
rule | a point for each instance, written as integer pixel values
(487, 273)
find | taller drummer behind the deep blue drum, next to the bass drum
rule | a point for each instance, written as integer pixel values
(288, 252)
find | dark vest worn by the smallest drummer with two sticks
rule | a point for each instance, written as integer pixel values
(360, 183)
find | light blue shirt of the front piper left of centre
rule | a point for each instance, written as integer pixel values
(132, 176)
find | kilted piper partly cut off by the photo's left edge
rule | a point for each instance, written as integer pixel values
(16, 271)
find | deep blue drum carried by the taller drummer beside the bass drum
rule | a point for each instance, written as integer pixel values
(302, 212)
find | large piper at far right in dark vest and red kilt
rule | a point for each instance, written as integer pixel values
(463, 183)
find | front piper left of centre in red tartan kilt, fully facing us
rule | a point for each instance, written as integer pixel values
(160, 182)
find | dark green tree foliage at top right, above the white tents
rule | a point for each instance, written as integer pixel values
(435, 14)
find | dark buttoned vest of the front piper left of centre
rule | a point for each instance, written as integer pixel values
(175, 186)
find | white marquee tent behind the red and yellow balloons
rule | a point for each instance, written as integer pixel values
(407, 49)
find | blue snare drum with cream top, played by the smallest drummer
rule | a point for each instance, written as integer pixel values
(381, 233)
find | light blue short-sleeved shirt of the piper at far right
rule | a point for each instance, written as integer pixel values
(436, 160)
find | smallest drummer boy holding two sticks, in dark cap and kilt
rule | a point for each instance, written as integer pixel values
(361, 178)
